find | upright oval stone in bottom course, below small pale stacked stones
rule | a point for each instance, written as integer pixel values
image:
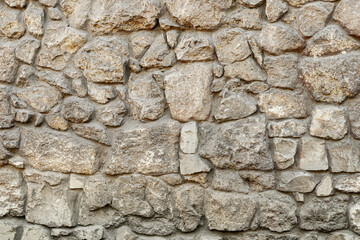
(188, 206)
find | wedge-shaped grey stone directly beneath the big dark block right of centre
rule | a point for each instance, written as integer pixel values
(229, 181)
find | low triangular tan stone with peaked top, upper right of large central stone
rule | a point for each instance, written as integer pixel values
(247, 70)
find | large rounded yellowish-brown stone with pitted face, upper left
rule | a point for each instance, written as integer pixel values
(103, 60)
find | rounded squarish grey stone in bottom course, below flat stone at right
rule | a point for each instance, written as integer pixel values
(277, 211)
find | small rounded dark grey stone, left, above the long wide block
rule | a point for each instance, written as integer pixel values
(77, 110)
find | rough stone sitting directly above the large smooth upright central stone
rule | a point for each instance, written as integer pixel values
(194, 46)
